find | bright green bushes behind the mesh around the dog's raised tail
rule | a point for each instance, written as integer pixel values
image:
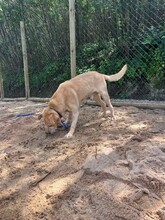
(145, 61)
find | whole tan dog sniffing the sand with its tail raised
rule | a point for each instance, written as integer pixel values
(71, 93)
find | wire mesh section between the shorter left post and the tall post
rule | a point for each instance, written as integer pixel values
(47, 22)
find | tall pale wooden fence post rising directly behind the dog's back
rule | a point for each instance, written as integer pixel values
(72, 37)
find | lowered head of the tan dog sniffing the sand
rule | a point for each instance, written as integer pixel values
(51, 119)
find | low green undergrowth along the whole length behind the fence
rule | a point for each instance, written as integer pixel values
(144, 78)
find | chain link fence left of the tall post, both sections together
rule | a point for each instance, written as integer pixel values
(47, 37)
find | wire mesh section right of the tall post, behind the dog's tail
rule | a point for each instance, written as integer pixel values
(112, 33)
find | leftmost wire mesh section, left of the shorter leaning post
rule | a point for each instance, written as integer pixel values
(10, 51)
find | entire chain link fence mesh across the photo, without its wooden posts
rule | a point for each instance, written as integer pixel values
(108, 34)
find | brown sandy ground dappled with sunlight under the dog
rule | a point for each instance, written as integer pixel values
(110, 170)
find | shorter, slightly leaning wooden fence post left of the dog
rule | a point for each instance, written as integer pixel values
(25, 60)
